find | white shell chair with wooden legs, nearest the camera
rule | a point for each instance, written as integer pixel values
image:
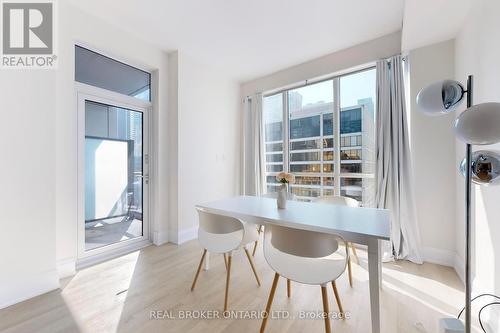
(306, 257)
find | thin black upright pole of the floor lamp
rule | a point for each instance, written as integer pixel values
(468, 182)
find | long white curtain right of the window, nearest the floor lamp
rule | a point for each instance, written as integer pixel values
(394, 174)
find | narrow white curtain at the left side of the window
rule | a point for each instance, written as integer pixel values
(253, 142)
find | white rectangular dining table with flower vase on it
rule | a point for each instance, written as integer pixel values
(360, 225)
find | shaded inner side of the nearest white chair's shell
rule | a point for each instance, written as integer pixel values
(302, 243)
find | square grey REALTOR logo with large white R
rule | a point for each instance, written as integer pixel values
(28, 34)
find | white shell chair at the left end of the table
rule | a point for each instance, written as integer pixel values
(223, 234)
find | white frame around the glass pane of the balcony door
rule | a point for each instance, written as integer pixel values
(85, 92)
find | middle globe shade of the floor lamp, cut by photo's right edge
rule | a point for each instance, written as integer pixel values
(479, 124)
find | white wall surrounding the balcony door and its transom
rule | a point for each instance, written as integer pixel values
(76, 26)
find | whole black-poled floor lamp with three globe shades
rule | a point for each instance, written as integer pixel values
(477, 125)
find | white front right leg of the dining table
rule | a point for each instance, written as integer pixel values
(375, 280)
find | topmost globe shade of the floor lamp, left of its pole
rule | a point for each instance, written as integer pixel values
(440, 97)
